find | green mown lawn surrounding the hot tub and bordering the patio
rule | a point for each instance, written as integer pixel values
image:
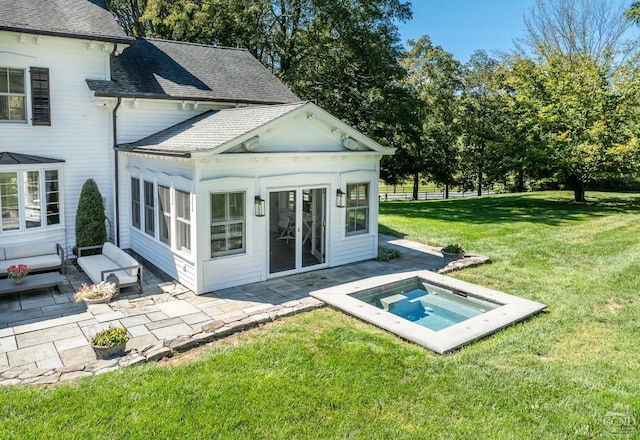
(572, 372)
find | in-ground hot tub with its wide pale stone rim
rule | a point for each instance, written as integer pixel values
(433, 310)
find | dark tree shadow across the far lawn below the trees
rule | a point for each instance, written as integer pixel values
(549, 208)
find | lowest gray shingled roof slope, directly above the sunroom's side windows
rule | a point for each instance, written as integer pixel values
(209, 130)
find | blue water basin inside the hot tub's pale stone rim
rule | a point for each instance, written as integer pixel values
(428, 305)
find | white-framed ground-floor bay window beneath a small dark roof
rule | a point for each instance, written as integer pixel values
(29, 199)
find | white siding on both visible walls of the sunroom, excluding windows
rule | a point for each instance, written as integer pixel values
(255, 175)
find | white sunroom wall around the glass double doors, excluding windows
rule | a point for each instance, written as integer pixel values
(259, 176)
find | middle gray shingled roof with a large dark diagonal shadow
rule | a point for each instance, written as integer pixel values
(174, 70)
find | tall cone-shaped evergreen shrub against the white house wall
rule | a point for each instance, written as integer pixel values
(91, 229)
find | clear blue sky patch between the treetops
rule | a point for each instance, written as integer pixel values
(463, 26)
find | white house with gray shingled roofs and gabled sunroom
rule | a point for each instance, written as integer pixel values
(211, 169)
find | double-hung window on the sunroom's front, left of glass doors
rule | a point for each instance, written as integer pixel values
(228, 223)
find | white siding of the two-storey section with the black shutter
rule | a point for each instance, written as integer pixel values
(80, 132)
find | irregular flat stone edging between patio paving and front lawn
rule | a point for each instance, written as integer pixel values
(206, 334)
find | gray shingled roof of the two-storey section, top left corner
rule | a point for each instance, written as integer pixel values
(88, 19)
